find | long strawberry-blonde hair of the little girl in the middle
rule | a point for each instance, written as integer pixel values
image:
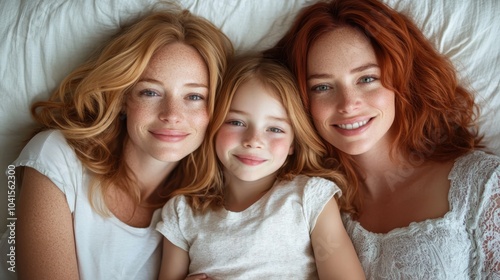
(309, 152)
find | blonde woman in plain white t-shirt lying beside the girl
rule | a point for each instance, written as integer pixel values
(119, 135)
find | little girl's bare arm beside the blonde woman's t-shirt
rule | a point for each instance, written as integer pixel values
(174, 262)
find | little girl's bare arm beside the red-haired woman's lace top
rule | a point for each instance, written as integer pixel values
(333, 250)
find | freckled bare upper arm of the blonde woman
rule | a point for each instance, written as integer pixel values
(45, 240)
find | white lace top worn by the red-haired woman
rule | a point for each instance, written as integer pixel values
(464, 244)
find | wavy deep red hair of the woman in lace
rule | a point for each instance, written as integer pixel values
(435, 116)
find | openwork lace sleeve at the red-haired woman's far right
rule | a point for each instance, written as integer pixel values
(489, 227)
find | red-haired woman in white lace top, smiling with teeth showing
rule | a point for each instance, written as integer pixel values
(424, 202)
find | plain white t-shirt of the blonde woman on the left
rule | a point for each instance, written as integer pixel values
(106, 248)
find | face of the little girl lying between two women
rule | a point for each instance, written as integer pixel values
(256, 137)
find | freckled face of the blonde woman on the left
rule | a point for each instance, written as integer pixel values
(167, 109)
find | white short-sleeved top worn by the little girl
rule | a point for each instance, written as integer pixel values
(269, 240)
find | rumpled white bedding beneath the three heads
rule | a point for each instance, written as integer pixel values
(43, 40)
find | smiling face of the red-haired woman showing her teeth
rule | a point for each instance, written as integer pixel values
(350, 107)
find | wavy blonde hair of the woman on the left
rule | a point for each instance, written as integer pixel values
(86, 107)
